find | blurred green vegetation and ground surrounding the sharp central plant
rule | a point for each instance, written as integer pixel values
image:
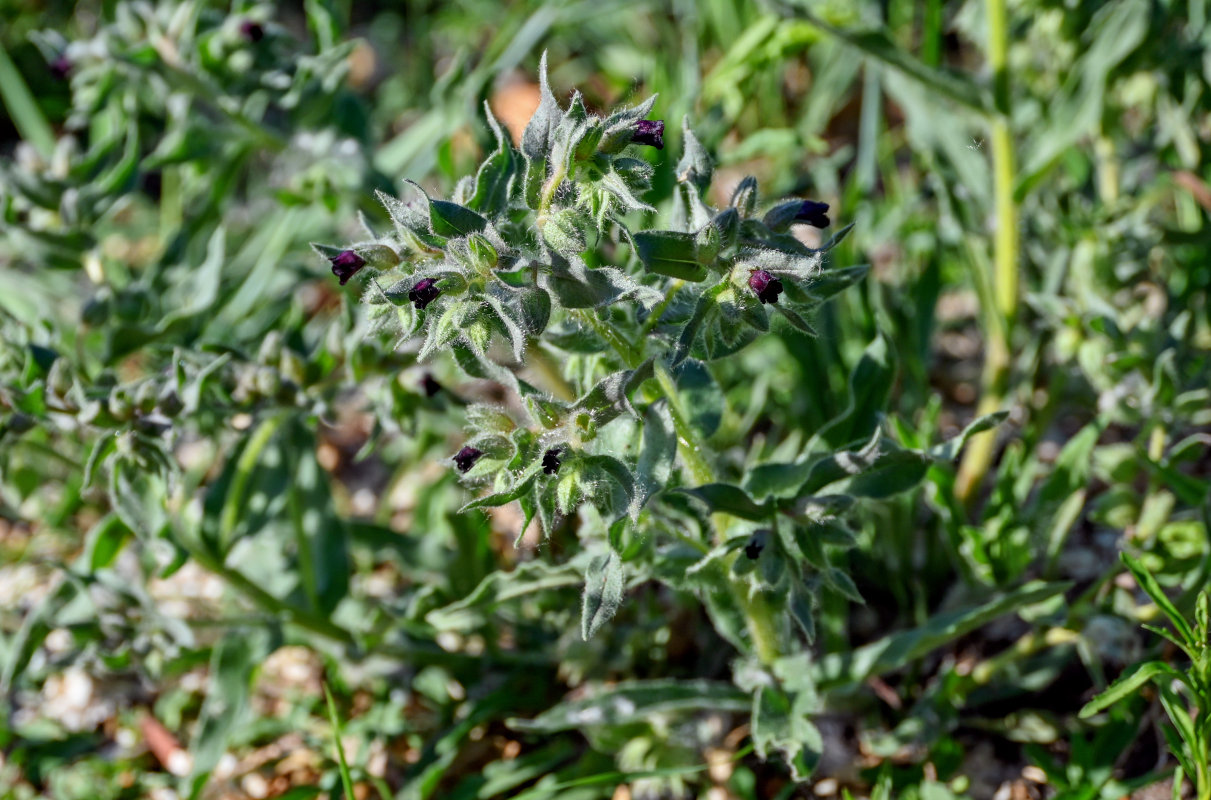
(1029, 185)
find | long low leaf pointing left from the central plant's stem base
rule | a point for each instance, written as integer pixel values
(636, 701)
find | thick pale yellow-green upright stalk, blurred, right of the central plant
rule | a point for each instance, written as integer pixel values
(1000, 321)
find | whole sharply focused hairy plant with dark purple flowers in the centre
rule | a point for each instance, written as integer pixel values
(602, 318)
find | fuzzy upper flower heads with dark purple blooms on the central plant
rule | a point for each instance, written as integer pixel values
(546, 251)
